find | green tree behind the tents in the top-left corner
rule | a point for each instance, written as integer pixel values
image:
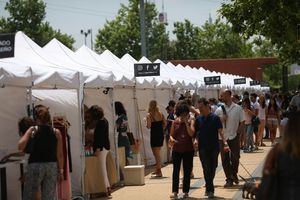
(28, 16)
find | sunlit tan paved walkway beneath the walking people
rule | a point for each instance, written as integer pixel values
(160, 188)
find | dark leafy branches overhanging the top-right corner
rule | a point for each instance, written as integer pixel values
(276, 20)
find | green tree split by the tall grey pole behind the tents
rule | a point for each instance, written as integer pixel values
(122, 35)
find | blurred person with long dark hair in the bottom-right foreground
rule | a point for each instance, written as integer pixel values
(281, 172)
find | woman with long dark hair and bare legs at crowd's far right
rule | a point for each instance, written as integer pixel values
(273, 118)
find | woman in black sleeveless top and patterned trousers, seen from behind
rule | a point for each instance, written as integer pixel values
(45, 164)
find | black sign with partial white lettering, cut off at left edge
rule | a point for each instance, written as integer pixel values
(7, 45)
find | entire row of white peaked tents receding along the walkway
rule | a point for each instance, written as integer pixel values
(65, 80)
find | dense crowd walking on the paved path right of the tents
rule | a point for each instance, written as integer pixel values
(226, 127)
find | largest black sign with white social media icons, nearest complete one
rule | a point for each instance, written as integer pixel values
(146, 69)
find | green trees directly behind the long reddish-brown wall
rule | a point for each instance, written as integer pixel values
(212, 40)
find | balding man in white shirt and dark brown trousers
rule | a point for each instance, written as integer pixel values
(232, 117)
